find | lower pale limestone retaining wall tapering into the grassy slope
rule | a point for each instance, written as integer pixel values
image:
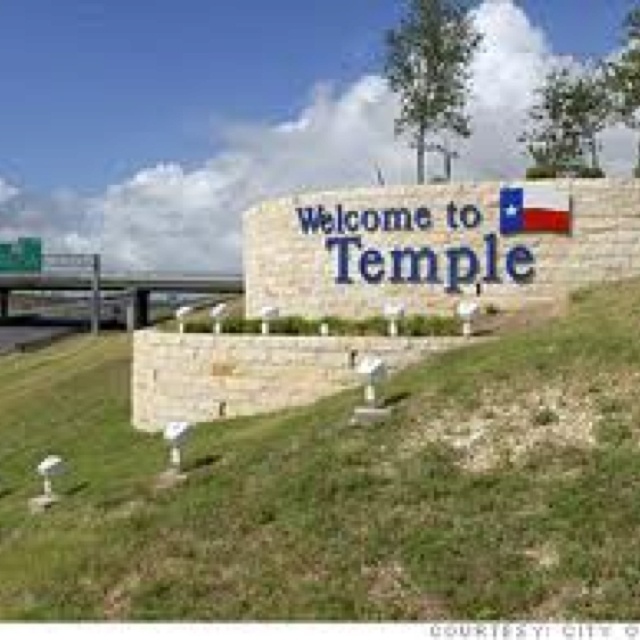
(201, 378)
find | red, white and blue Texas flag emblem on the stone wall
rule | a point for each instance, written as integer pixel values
(534, 209)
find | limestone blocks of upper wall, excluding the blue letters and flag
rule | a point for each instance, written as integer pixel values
(294, 271)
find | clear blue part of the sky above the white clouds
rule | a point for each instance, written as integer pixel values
(93, 90)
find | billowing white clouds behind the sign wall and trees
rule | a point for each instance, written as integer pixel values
(167, 217)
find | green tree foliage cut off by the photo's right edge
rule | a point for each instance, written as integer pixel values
(625, 79)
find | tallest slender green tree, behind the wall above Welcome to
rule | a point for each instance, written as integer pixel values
(427, 64)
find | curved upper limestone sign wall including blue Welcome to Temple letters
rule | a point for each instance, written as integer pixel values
(348, 253)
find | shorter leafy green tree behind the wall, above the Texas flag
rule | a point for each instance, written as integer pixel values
(573, 106)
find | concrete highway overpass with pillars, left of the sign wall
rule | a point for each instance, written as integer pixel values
(135, 287)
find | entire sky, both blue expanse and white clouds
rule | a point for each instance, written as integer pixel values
(135, 127)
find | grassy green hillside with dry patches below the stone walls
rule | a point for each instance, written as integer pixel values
(507, 485)
